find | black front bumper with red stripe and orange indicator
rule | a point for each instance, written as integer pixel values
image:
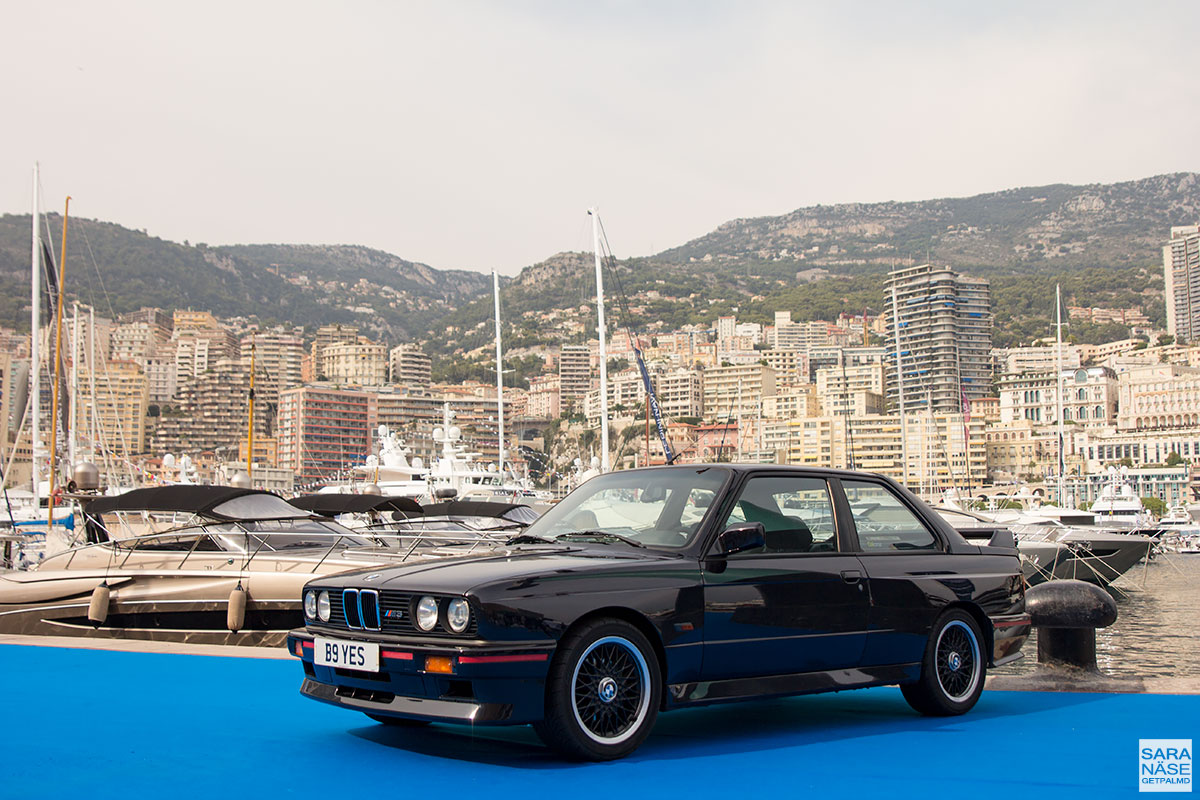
(485, 685)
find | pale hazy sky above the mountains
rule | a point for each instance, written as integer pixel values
(477, 135)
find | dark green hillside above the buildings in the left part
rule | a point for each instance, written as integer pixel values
(119, 270)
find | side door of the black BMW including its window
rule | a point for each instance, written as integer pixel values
(796, 605)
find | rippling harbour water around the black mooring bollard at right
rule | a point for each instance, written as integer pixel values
(1155, 636)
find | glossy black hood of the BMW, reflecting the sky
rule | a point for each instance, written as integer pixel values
(464, 574)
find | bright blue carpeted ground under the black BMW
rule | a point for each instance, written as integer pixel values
(91, 724)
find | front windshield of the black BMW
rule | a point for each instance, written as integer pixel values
(657, 508)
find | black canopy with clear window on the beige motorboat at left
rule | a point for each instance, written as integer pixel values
(217, 502)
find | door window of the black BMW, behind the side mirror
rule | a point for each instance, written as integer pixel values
(796, 514)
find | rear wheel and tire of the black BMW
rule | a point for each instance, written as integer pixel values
(953, 669)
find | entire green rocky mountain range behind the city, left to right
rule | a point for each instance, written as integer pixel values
(1102, 242)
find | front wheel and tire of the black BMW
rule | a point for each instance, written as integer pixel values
(603, 693)
